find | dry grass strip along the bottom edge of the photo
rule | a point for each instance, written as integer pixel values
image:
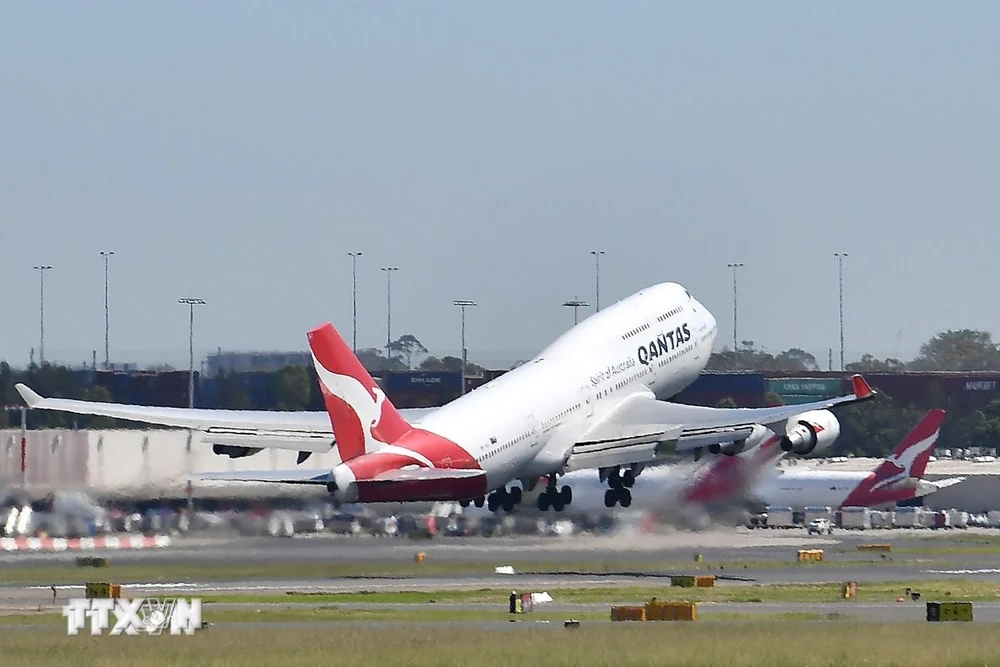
(745, 644)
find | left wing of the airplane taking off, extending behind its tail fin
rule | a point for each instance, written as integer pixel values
(301, 431)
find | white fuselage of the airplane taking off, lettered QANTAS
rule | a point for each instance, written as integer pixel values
(524, 423)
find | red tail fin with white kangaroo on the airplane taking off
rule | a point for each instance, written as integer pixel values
(362, 417)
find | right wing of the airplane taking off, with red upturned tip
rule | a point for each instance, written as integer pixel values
(641, 428)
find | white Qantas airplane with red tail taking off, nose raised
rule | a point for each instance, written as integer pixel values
(595, 398)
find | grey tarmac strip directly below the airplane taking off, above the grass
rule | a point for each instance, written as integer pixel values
(723, 544)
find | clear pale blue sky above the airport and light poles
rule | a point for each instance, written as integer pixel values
(238, 150)
